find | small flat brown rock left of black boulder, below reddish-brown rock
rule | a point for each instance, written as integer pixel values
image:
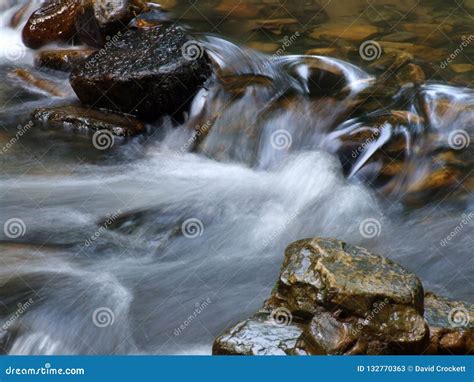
(61, 59)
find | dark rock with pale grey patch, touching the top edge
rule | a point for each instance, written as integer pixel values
(98, 19)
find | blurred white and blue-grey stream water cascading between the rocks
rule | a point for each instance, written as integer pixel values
(161, 242)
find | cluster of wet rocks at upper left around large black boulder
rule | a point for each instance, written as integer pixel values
(146, 70)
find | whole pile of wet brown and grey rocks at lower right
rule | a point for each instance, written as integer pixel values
(341, 299)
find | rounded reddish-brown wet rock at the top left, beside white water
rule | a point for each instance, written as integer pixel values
(50, 23)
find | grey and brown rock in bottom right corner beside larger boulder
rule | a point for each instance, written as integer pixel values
(451, 325)
